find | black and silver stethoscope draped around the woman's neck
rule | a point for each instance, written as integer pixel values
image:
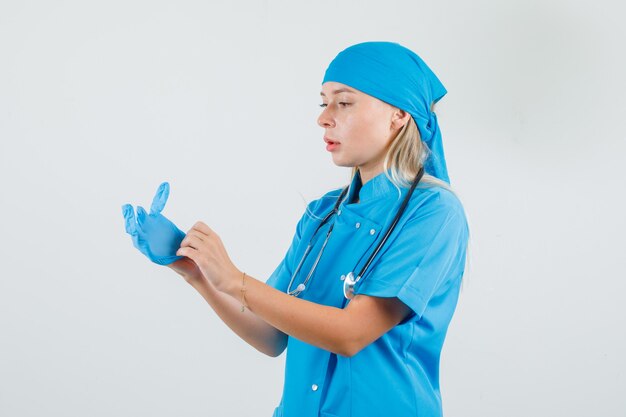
(349, 280)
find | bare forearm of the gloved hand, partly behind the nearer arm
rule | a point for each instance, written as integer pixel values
(247, 325)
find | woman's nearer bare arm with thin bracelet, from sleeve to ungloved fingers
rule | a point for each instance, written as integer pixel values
(342, 331)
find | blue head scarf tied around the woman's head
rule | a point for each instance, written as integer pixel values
(396, 75)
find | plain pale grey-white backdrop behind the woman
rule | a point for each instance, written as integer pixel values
(102, 101)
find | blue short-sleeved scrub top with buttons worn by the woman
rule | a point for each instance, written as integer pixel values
(421, 263)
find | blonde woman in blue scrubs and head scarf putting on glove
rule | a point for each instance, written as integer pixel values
(364, 295)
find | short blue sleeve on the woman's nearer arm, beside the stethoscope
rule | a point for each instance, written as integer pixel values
(428, 252)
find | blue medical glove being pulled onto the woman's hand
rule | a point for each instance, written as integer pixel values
(153, 234)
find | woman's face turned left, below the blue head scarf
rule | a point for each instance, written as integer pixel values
(358, 127)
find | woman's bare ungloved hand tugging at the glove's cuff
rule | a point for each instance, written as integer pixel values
(203, 246)
